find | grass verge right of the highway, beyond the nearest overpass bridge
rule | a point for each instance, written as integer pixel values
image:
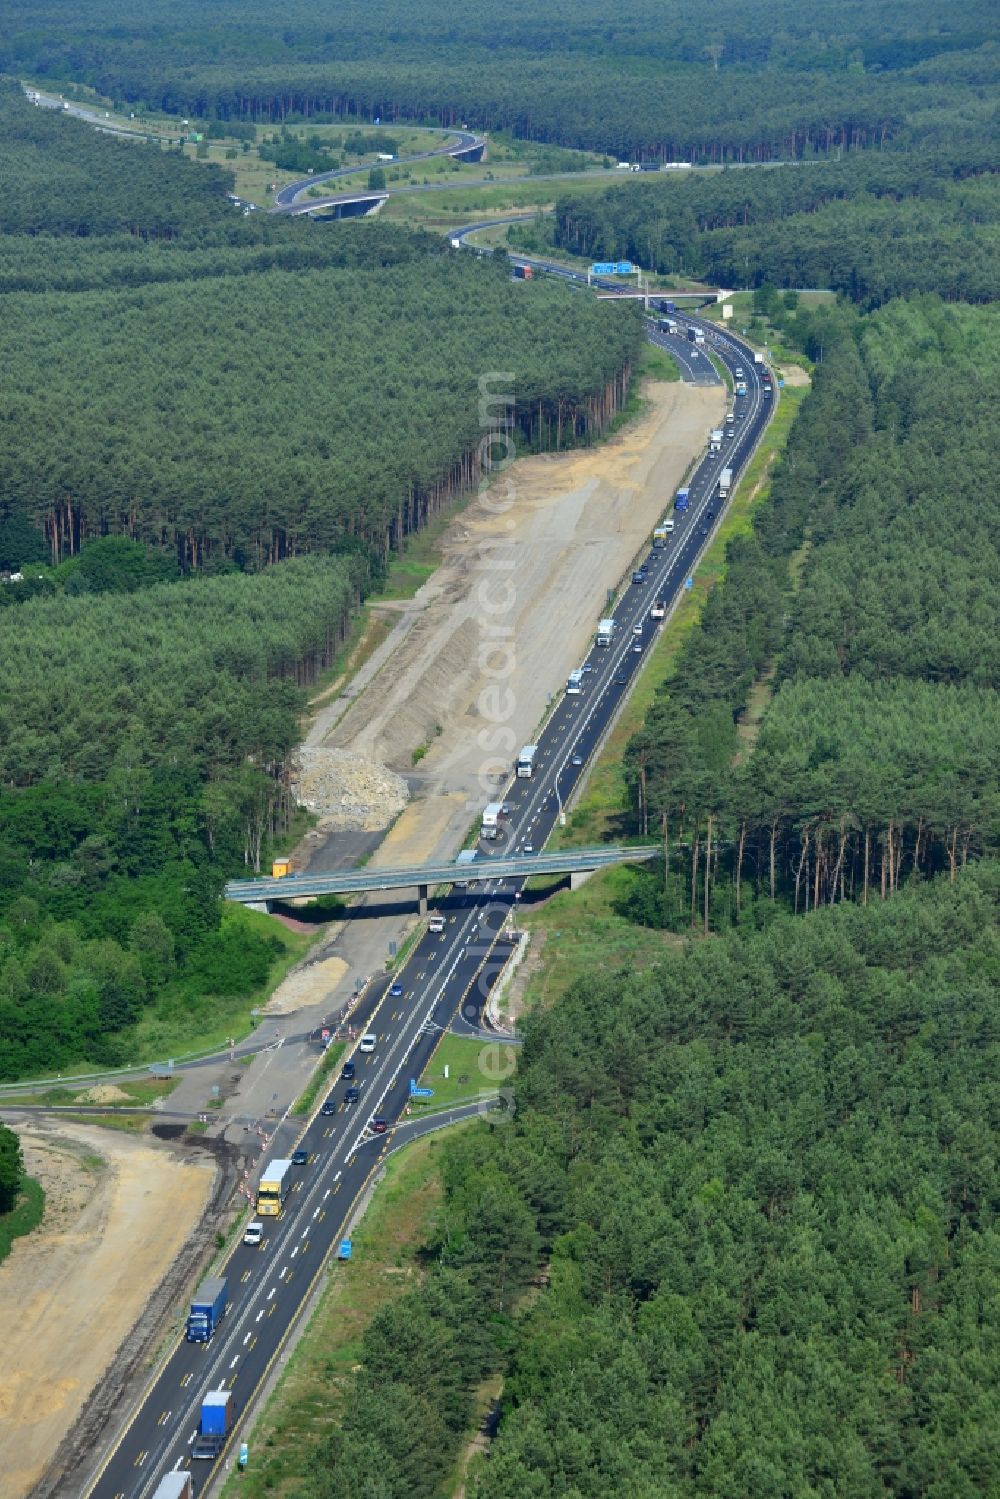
(603, 806)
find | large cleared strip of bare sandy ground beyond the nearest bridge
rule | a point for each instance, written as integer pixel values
(469, 671)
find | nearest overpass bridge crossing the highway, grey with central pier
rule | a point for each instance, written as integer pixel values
(260, 894)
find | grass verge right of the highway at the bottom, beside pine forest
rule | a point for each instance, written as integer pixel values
(386, 1264)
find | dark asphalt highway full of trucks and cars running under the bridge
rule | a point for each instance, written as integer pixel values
(445, 980)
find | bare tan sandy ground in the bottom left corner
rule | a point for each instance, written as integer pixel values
(70, 1293)
